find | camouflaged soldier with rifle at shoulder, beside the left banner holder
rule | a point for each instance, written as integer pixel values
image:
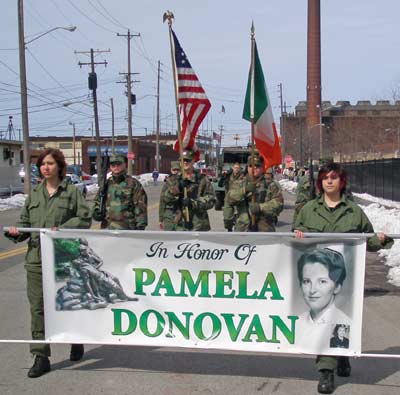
(126, 200)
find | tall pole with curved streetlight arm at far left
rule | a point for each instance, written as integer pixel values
(24, 91)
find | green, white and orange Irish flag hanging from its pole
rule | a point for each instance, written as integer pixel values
(257, 108)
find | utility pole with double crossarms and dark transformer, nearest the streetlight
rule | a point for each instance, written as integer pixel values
(92, 81)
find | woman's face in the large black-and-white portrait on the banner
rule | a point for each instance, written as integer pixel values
(318, 289)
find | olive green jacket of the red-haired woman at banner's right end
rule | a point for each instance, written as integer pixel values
(348, 217)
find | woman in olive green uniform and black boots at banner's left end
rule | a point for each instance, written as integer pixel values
(52, 204)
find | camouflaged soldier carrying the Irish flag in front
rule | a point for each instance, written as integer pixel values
(266, 204)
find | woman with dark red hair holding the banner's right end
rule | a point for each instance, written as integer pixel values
(333, 212)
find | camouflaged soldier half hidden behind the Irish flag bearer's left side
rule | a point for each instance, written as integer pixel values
(232, 180)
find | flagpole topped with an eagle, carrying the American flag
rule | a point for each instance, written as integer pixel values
(168, 15)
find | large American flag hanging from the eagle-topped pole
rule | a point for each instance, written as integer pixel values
(193, 102)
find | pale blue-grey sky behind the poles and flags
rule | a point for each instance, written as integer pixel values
(360, 47)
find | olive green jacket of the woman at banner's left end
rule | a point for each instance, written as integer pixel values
(66, 208)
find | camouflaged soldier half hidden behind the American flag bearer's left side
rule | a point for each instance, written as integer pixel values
(168, 218)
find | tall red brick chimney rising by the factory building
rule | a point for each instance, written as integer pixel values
(313, 71)
